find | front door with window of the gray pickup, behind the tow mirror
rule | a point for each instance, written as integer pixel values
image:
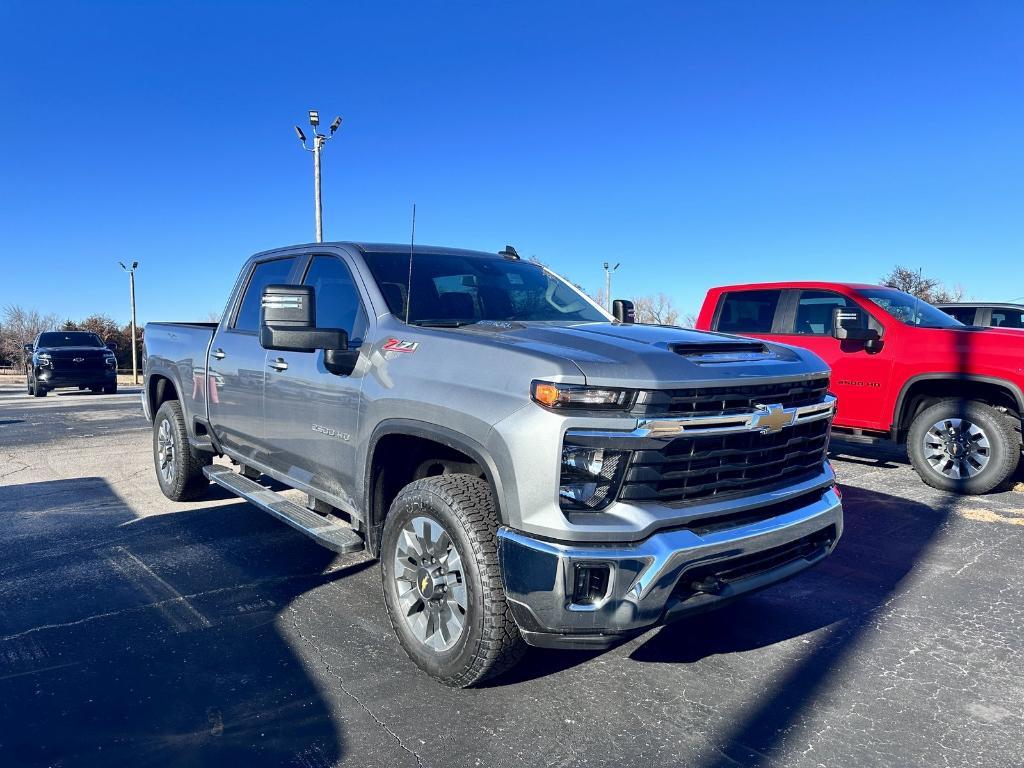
(312, 414)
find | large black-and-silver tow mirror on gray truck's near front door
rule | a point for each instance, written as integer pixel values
(288, 322)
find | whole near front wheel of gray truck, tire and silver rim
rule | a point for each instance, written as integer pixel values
(443, 586)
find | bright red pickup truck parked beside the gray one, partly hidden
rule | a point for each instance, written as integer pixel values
(903, 371)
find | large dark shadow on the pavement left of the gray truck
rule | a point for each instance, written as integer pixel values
(154, 642)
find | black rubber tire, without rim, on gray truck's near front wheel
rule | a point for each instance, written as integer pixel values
(490, 643)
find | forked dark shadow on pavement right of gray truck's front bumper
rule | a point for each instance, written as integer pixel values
(885, 538)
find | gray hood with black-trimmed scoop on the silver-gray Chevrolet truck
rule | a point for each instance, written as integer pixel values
(653, 357)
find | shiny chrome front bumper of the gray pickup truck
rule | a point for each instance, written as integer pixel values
(671, 574)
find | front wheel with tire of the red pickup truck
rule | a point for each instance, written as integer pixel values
(931, 457)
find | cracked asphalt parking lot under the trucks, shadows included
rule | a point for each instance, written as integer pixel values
(136, 631)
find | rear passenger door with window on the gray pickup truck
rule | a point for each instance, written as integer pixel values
(238, 365)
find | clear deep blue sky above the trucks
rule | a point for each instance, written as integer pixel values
(697, 144)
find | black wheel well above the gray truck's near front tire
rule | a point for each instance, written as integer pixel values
(398, 460)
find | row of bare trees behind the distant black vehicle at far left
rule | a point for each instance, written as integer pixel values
(20, 327)
